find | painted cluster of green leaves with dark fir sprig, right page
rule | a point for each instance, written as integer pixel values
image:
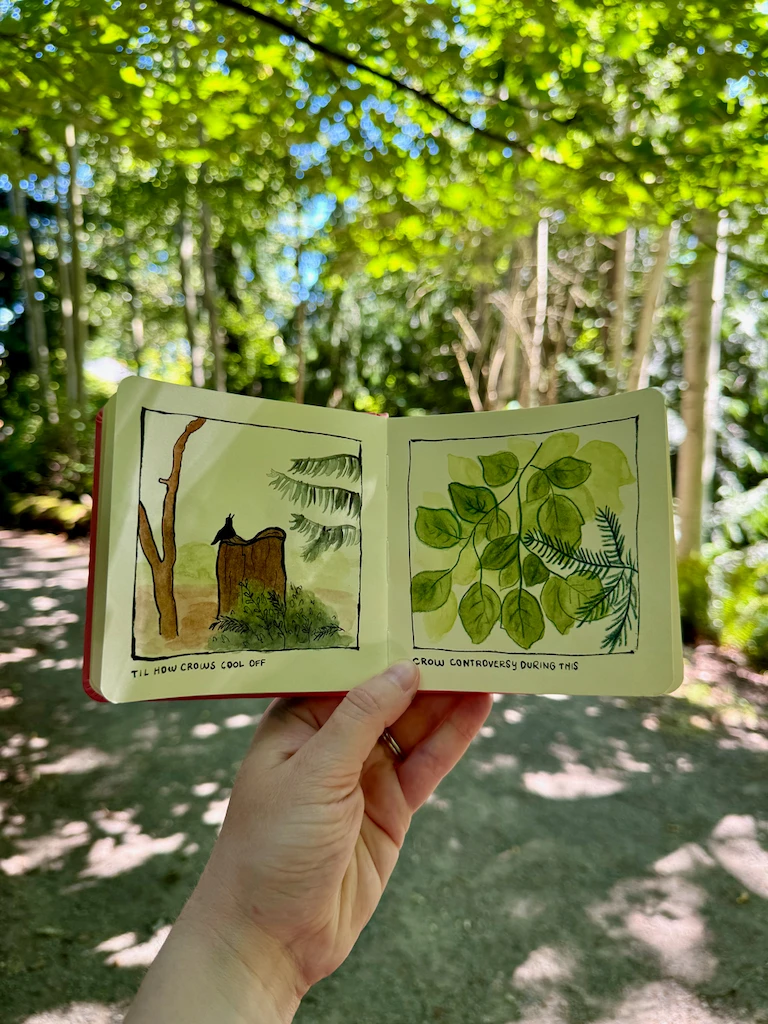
(513, 530)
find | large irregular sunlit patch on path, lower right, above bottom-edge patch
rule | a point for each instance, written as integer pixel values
(664, 915)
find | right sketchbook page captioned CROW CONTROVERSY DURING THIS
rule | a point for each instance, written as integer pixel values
(531, 549)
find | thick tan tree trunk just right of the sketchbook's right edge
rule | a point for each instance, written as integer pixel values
(691, 458)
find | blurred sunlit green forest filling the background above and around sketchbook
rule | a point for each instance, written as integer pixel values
(416, 207)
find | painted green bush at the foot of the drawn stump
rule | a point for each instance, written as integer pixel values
(263, 622)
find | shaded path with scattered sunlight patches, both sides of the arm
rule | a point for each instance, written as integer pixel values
(590, 861)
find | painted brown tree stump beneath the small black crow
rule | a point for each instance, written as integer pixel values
(261, 562)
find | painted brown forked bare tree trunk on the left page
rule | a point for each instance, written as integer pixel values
(162, 568)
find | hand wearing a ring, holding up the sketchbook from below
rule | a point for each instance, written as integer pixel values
(317, 820)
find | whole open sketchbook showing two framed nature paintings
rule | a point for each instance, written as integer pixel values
(242, 546)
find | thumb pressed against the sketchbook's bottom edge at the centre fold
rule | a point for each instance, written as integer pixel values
(352, 733)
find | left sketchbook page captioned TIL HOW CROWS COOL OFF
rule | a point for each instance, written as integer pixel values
(278, 519)
